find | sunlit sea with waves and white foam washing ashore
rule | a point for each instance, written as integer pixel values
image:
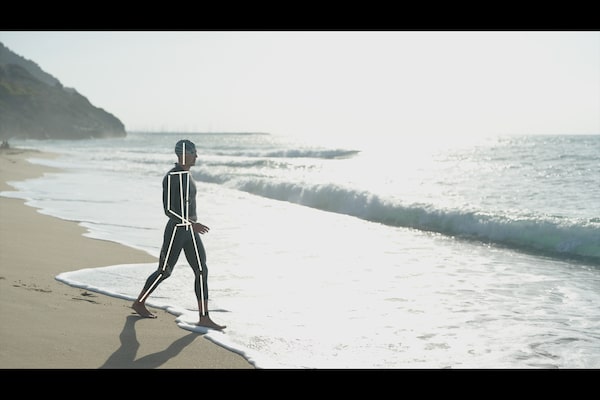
(478, 253)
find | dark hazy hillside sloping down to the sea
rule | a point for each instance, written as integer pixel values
(35, 105)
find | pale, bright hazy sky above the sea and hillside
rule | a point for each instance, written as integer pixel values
(388, 84)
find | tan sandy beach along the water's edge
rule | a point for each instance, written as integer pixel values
(47, 324)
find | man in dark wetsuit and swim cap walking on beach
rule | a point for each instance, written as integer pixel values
(181, 233)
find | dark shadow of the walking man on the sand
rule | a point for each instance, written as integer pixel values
(125, 355)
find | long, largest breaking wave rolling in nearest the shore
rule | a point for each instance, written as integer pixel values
(550, 236)
